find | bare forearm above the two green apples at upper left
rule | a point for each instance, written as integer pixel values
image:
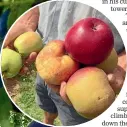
(28, 22)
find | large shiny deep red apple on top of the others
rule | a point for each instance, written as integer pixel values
(89, 41)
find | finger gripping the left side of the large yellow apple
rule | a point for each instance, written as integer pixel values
(63, 93)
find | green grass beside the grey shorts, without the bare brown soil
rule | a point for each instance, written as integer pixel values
(26, 98)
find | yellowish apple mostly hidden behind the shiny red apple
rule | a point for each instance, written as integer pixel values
(110, 63)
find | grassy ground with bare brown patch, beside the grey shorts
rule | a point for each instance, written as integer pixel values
(22, 91)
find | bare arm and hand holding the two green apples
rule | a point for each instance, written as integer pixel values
(27, 22)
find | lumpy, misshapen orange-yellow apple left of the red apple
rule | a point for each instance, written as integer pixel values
(53, 65)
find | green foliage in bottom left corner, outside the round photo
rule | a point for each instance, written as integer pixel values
(9, 118)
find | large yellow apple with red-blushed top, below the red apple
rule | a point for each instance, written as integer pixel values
(89, 91)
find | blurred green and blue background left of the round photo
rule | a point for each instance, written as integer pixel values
(10, 10)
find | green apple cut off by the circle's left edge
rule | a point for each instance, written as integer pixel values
(11, 63)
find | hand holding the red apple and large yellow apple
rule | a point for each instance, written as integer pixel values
(116, 79)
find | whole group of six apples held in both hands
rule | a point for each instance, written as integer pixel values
(82, 60)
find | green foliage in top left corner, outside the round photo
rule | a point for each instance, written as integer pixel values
(17, 7)
